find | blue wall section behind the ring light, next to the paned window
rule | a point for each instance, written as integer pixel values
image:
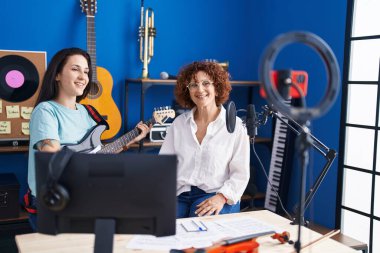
(327, 20)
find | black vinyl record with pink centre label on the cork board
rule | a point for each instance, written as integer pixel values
(18, 78)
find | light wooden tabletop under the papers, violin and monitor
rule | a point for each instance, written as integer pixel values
(83, 243)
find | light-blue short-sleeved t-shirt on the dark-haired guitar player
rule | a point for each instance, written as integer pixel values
(51, 120)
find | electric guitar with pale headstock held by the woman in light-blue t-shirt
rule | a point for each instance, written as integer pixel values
(91, 143)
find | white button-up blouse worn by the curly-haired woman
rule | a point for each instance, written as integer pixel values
(219, 164)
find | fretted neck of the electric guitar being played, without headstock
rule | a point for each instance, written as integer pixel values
(116, 146)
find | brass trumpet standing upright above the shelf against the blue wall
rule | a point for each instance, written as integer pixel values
(147, 33)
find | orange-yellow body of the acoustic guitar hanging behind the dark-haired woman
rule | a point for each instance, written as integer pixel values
(103, 102)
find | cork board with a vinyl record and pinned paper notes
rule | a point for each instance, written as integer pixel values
(21, 73)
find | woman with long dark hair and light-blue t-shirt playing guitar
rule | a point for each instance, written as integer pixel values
(58, 118)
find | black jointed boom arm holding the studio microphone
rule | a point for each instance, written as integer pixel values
(329, 154)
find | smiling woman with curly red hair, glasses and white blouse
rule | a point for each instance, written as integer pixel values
(213, 164)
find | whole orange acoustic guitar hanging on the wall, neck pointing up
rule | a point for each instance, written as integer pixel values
(100, 96)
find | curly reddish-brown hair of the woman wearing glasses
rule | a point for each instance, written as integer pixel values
(218, 75)
